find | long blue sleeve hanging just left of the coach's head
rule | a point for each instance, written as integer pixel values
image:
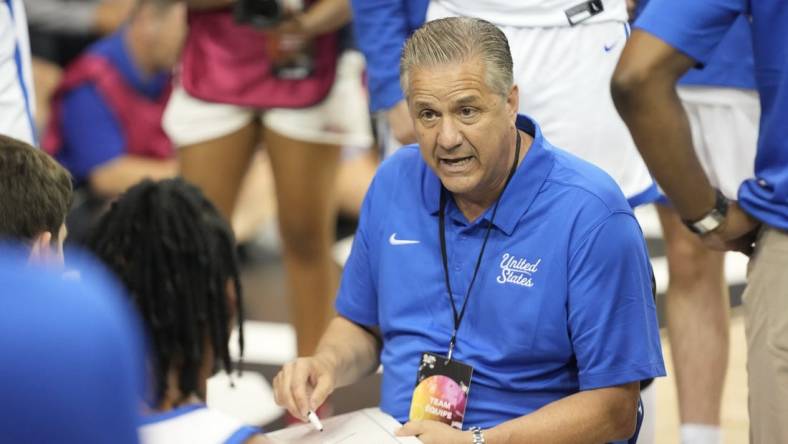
(381, 28)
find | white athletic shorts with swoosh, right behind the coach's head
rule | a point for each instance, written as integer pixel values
(563, 74)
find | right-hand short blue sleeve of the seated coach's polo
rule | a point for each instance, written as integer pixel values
(612, 314)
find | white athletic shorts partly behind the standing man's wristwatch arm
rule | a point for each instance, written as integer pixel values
(724, 123)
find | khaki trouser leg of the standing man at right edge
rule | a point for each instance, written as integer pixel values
(766, 327)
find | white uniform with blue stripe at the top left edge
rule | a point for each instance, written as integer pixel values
(17, 101)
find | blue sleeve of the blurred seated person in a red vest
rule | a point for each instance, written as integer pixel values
(91, 132)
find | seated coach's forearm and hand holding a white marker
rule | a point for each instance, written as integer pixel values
(345, 354)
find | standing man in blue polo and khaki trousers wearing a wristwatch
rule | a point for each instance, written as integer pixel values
(678, 35)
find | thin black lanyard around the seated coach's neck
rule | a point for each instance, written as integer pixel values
(442, 228)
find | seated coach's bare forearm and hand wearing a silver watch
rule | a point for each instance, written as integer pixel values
(592, 416)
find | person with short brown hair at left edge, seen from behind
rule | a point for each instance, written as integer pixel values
(35, 194)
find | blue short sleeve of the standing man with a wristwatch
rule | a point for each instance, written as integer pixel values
(693, 27)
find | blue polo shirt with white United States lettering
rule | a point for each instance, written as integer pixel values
(563, 300)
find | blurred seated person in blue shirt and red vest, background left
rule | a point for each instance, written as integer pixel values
(106, 116)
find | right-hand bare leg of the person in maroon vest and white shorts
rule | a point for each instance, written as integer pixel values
(305, 178)
